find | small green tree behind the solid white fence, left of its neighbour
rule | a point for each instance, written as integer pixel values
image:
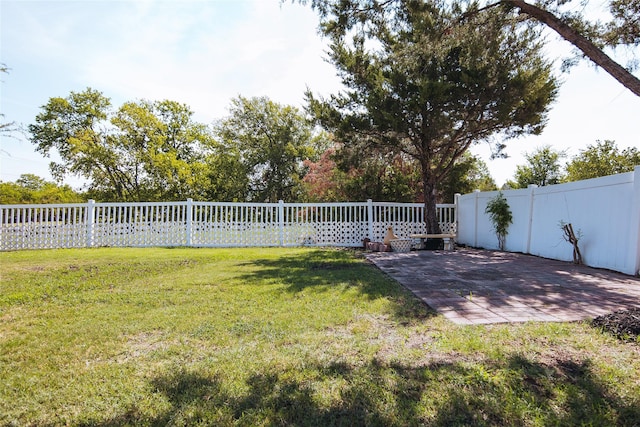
(543, 168)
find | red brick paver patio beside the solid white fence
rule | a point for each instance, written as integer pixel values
(470, 286)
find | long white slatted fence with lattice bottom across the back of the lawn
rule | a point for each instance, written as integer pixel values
(193, 223)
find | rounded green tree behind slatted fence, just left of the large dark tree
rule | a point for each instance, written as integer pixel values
(271, 141)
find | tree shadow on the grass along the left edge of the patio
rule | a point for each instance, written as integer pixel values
(323, 270)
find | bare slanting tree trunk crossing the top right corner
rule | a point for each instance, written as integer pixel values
(590, 50)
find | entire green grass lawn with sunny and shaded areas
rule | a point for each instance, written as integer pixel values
(280, 337)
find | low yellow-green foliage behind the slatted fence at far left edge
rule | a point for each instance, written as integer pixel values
(31, 189)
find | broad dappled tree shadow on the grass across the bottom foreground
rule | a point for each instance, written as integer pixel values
(515, 391)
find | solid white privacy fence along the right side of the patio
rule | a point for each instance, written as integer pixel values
(605, 211)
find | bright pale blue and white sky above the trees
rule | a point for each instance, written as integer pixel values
(204, 53)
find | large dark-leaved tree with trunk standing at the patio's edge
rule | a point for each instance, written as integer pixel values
(424, 85)
